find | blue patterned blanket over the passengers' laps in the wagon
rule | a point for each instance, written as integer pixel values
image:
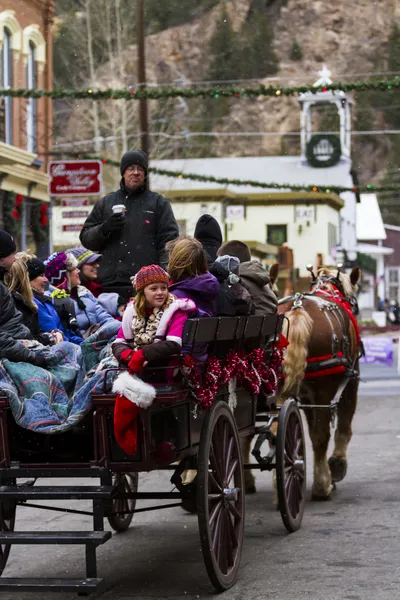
(55, 399)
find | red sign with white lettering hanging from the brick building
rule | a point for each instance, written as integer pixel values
(75, 177)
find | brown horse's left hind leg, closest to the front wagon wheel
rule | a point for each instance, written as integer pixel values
(319, 421)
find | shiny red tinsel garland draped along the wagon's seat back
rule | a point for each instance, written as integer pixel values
(253, 371)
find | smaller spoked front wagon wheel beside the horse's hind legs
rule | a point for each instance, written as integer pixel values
(291, 465)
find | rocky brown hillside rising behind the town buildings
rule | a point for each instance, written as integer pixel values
(350, 38)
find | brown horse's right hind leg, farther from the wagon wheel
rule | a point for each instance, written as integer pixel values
(343, 433)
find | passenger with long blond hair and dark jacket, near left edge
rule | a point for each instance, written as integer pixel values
(18, 283)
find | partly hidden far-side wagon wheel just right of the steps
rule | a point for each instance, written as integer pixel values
(122, 509)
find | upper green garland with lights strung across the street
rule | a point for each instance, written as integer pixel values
(230, 91)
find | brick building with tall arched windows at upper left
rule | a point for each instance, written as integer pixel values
(25, 124)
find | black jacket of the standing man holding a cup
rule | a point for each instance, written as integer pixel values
(150, 224)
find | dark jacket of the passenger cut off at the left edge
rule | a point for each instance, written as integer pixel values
(12, 329)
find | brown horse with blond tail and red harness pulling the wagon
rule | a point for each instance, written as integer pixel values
(322, 358)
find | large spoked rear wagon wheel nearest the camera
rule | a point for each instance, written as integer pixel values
(220, 496)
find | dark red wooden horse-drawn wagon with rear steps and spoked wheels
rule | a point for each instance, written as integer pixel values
(177, 433)
